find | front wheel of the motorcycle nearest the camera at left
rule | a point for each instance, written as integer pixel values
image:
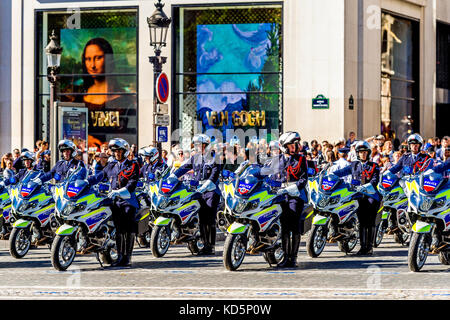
(64, 250)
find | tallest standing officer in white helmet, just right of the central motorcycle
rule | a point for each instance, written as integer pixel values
(291, 167)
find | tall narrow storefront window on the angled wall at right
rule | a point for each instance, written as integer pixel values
(399, 77)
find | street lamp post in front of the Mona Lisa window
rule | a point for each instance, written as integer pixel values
(53, 52)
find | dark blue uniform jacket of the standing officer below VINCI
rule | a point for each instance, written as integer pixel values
(120, 175)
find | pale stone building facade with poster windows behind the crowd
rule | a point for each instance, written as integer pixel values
(323, 68)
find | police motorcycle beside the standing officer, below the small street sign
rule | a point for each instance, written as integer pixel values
(335, 206)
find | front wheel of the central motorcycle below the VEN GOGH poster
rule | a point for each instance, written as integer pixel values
(234, 251)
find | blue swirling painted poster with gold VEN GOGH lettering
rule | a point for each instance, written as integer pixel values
(237, 75)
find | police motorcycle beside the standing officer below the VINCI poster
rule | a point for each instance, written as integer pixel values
(85, 217)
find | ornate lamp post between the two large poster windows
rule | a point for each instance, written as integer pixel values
(158, 24)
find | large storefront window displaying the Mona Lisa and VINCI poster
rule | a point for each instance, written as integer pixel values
(98, 69)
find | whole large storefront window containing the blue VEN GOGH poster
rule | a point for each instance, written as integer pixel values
(228, 72)
